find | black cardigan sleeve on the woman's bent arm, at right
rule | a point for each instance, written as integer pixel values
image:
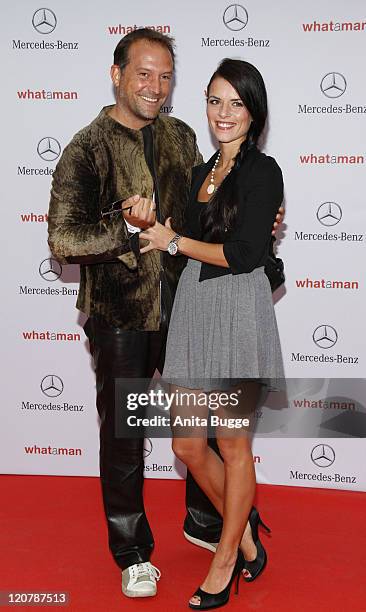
(263, 197)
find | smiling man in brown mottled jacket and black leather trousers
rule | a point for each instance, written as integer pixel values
(128, 149)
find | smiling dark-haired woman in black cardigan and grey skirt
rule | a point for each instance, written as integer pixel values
(223, 332)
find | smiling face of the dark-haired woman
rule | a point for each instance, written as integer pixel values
(227, 116)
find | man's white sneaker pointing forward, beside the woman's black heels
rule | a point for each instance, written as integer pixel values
(139, 580)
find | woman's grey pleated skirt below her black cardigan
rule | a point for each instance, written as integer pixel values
(222, 331)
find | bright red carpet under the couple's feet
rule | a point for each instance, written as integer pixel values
(53, 538)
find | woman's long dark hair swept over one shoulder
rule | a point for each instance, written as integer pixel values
(221, 212)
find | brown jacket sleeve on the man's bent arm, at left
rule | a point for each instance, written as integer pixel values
(76, 231)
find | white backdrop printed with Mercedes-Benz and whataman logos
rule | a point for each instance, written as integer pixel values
(55, 79)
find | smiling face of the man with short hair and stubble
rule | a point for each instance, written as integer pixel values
(144, 85)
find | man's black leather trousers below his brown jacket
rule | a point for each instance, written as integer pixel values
(119, 353)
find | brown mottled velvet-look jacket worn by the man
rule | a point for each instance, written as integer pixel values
(103, 163)
